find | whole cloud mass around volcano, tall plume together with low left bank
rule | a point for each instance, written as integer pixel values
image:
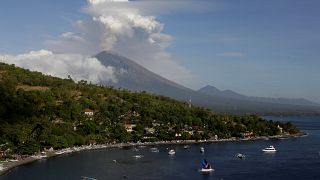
(128, 28)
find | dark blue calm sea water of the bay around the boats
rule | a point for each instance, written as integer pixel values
(297, 158)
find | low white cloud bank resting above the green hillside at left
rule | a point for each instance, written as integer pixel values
(79, 67)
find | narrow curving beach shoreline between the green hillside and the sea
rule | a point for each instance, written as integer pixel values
(8, 165)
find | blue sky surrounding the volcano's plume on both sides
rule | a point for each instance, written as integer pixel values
(258, 48)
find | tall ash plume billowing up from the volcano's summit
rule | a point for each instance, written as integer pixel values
(129, 29)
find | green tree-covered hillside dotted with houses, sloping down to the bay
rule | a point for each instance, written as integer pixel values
(38, 111)
